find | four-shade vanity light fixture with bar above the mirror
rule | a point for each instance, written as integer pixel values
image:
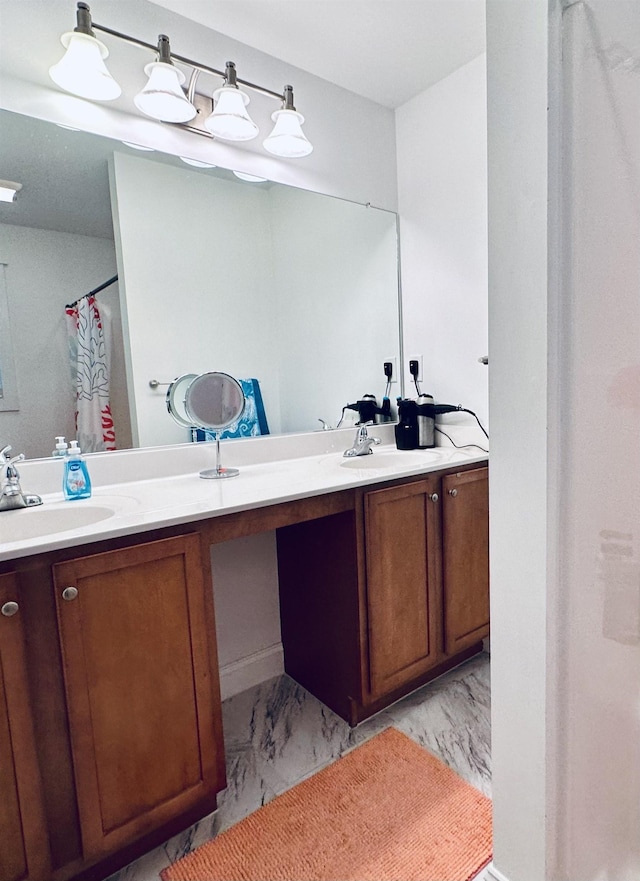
(82, 72)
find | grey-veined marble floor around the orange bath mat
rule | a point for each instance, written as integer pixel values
(277, 734)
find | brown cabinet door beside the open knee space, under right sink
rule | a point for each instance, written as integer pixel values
(403, 560)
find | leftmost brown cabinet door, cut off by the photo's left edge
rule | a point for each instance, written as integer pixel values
(23, 837)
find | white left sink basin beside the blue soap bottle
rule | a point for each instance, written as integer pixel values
(54, 517)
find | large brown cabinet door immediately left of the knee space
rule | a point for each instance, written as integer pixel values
(144, 713)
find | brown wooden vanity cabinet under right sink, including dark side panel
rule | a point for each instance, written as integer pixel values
(376, 601)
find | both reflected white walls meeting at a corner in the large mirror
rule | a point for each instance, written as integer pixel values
(291, 287)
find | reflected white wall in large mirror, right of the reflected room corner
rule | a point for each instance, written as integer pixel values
(335, 273)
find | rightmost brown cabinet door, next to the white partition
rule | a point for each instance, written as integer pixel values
(465, 515)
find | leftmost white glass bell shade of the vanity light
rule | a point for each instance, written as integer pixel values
(82, 70)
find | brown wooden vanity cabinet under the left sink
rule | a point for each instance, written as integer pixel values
(126, 741)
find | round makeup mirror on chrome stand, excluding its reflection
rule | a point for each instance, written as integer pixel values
(214, 401)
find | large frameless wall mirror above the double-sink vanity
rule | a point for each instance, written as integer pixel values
(260, 280)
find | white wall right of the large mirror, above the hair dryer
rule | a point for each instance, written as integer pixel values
(442, 195)
